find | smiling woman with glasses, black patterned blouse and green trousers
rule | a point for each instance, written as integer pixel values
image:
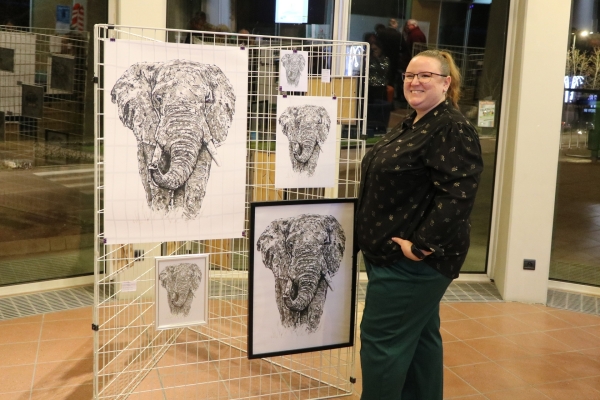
(417, 192)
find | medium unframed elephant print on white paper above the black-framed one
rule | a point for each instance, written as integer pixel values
(306, 152)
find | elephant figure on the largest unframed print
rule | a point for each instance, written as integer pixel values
(180, 112)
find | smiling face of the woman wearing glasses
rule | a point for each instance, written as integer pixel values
(425, 96)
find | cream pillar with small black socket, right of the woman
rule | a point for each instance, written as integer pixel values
(528, 148)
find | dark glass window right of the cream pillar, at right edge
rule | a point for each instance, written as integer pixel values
(576, 237)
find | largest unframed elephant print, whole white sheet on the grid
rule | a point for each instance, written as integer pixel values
(174, 141)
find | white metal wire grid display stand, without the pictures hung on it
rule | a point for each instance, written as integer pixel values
(134, 360)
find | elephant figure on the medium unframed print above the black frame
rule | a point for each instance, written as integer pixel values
(306, 128)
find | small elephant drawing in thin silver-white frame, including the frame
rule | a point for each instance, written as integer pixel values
(181, 291)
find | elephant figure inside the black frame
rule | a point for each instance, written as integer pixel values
(304, 253)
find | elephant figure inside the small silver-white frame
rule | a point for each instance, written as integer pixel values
(180, 281)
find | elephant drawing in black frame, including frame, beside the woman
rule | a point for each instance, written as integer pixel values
(302, 276)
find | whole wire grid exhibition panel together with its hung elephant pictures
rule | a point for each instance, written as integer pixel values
(189, 137)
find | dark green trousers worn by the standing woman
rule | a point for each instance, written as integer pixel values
(401, 347)
